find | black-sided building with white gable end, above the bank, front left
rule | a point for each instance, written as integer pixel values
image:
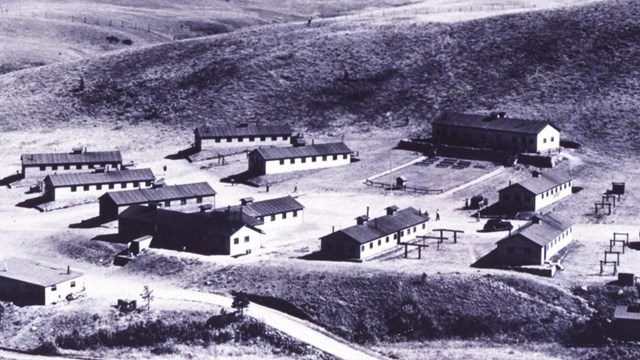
(220, 232)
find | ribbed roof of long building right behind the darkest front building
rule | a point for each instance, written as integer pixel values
(167, 192)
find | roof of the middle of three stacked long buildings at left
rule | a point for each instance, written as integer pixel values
(108, 177)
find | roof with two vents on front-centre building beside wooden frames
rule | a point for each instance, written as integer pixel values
(379, 227)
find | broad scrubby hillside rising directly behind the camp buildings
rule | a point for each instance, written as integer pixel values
(577, 67)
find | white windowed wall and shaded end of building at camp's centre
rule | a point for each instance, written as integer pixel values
(296, 164)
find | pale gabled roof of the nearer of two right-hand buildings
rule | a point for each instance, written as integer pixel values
(542, 232)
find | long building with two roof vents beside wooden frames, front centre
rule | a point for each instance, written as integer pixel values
(371, 237)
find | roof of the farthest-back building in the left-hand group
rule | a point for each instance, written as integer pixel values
(69, 158)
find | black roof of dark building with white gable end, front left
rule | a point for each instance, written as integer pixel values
(219, 221)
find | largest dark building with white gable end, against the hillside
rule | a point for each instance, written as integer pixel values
(495, 130)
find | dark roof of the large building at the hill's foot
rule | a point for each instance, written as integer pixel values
(521, 126)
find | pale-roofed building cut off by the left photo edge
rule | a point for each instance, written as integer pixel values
(25, 282)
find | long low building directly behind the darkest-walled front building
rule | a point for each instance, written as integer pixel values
(112, 203)
